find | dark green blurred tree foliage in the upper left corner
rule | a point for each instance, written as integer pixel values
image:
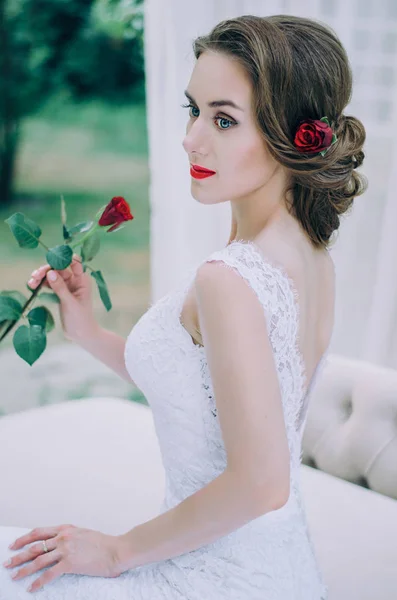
(91, 49)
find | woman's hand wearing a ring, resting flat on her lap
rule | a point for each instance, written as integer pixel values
(70, 550)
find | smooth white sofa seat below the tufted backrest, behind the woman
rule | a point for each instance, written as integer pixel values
(354, 532)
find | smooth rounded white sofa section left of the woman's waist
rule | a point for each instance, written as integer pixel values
(93, 462)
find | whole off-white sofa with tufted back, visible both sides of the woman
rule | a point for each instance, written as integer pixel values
(96, 463)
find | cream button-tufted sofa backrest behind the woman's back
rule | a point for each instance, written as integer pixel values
(351, 429)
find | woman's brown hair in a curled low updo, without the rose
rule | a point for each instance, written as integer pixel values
(299, 69)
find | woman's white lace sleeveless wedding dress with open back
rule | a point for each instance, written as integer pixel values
(271, 557)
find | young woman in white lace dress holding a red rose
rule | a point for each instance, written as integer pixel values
(227, 362)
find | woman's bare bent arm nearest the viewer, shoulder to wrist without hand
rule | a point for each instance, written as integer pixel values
(256, 479)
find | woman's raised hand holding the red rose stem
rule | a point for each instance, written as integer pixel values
(74, 290)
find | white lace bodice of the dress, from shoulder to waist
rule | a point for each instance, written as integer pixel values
(172, 371)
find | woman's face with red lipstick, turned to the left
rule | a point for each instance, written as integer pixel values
(224, 139)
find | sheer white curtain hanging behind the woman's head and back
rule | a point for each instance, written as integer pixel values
(183, 231)
